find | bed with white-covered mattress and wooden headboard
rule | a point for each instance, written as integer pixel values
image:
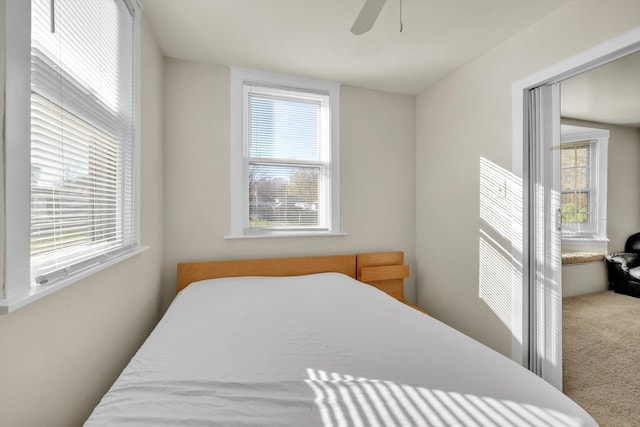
(302, 342)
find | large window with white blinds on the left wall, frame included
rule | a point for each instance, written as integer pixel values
(80, 165)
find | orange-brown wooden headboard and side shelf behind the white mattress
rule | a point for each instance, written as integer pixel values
(384, 270)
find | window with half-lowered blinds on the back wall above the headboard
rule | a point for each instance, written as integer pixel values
(285, 155)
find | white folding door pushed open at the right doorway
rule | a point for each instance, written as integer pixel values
(545, 269)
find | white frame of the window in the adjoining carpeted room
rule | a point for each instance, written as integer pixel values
(594, 237)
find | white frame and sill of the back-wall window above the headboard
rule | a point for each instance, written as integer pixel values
(239, 199)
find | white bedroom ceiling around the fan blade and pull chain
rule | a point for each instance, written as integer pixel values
(312, 38)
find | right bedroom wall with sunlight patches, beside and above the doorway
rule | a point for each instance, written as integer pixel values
(464, 126)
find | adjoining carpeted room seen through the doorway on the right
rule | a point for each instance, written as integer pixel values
(601, 210)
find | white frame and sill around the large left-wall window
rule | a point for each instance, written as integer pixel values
(18, 289)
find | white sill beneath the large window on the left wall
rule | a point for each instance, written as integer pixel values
(7, 305)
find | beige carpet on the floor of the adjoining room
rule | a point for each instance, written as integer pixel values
(601, 356)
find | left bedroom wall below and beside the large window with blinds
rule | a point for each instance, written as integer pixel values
(59, 355)
